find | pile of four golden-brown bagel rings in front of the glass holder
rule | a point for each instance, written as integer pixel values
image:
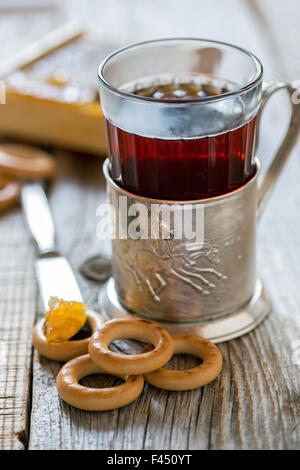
(92, 355)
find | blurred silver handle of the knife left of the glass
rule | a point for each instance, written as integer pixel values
(38, 217)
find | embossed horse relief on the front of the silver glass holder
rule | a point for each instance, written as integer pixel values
(151, 262)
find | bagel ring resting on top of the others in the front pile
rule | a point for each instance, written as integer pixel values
(133, 328)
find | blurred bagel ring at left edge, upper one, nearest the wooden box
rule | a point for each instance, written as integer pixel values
(25, 162)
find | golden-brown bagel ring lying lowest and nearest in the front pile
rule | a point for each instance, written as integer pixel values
(95, 399)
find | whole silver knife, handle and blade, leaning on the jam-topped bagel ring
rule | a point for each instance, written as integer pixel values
(54, 274)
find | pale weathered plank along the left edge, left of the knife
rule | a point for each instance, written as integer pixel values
(17, 316)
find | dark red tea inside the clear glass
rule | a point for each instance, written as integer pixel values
(181, 169)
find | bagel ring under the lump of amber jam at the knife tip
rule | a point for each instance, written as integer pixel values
(68, 349)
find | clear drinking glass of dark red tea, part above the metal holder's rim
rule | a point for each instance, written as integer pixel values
(181, 117)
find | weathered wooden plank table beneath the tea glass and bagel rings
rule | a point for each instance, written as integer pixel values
(255, 402)
